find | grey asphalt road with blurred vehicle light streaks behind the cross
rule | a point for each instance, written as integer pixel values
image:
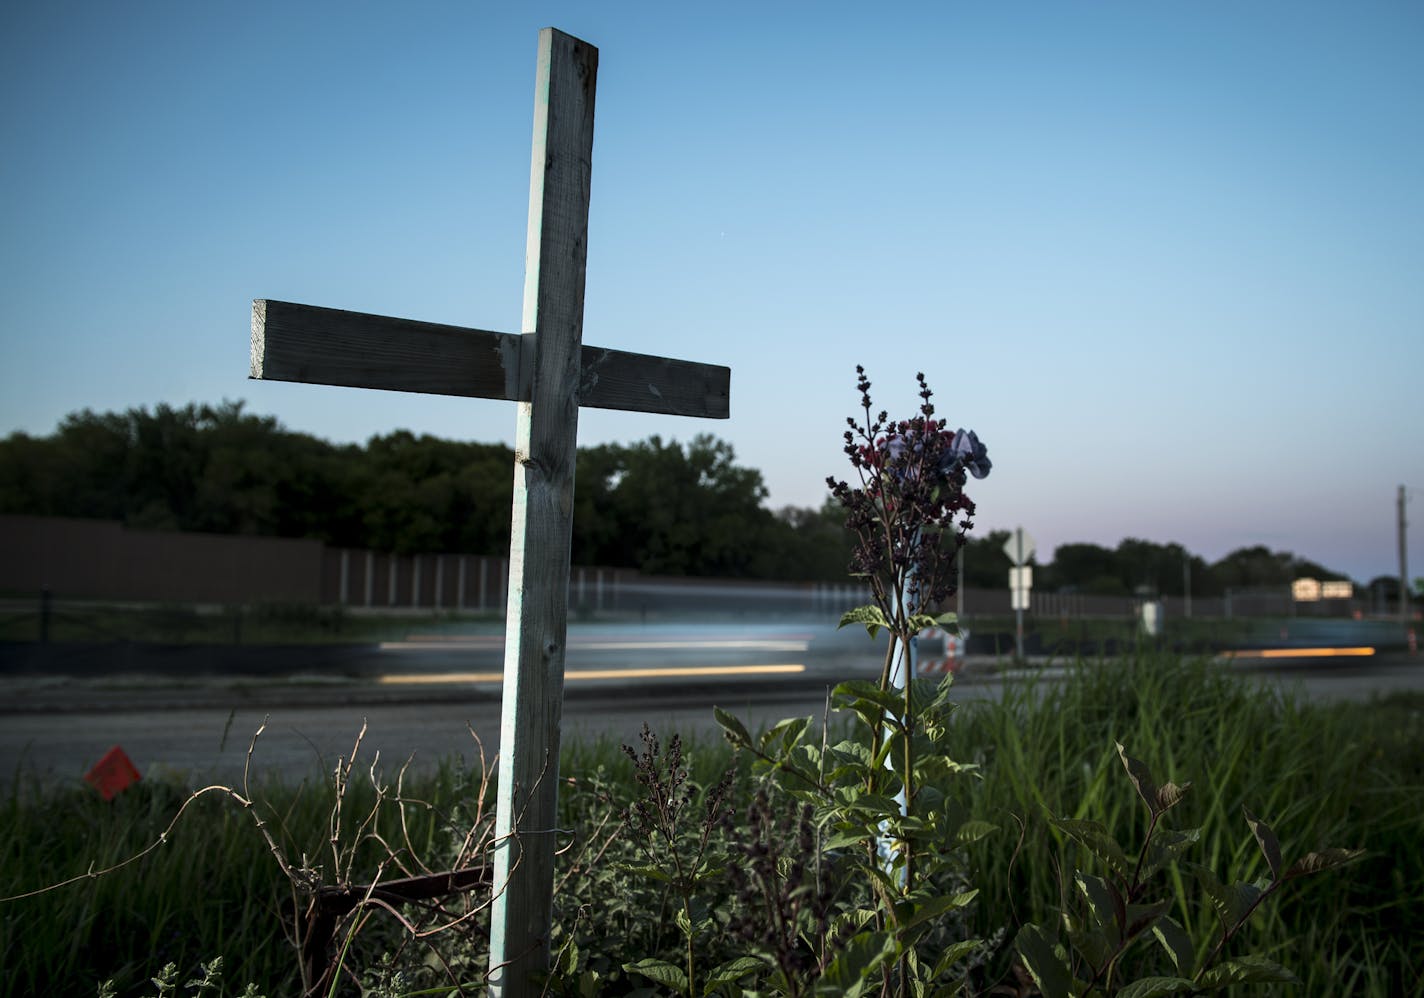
(438, 697)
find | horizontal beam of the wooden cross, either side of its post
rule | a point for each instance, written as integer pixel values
(314, 345)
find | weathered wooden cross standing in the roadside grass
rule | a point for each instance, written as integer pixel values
(550, 375)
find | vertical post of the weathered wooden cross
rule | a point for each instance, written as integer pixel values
(545, 456)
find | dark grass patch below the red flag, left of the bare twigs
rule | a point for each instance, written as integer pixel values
(210, 886)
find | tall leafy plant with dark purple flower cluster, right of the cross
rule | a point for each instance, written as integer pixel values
(884, 799)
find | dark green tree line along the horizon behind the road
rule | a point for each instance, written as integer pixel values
(660, 508)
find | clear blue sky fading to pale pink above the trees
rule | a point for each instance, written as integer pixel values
(1167, 260)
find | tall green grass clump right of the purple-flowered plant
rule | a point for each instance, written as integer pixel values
(1324, 775)
